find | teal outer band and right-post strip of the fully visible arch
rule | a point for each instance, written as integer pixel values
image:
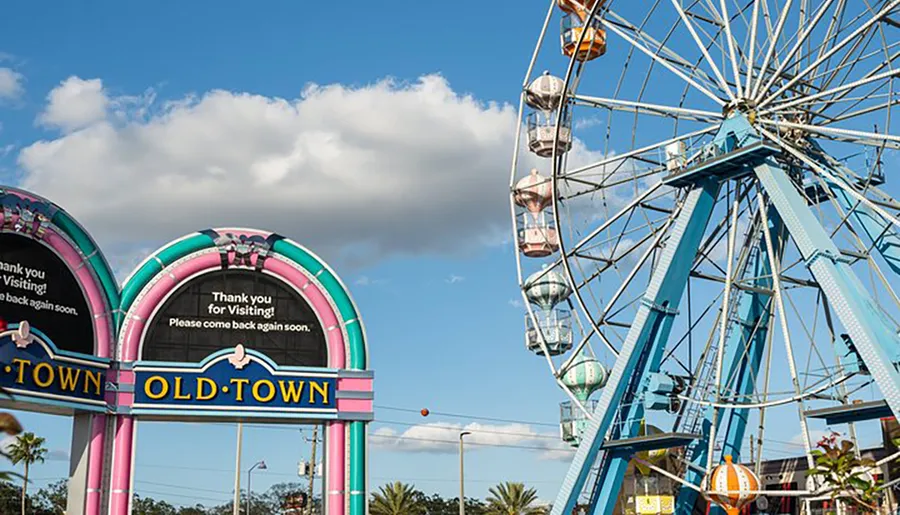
(357, 358)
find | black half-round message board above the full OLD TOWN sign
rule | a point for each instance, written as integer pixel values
(230, 307)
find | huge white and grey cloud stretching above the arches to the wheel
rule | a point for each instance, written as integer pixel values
(354, 173)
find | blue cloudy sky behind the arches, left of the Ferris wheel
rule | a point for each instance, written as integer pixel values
(394, 169)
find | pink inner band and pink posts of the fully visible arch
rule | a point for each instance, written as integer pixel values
(130, 341)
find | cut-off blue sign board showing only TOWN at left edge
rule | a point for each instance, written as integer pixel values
(31, 366)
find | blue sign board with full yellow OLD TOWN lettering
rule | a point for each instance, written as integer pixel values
(234, 380)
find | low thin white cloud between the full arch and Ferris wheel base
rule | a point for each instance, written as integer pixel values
(444, 438)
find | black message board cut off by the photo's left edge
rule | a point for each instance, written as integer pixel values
(37, 286)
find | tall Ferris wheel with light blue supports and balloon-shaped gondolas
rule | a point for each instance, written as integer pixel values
(708, 241)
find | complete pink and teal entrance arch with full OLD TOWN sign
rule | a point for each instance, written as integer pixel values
(240, 324)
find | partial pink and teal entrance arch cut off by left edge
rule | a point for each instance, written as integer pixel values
(57, 332)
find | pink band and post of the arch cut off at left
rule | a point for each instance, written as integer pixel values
(103, 346)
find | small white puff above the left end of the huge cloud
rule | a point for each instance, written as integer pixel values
(74, 104)
